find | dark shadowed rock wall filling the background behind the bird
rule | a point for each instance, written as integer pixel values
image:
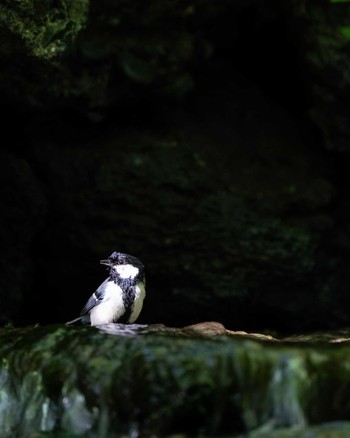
(209, 140)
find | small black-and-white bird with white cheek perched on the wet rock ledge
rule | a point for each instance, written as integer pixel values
(120, 297)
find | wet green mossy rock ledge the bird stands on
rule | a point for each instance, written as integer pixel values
(155, 380)
